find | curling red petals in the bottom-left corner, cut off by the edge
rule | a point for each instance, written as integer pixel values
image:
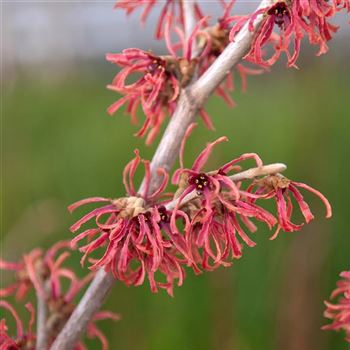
(24, 339)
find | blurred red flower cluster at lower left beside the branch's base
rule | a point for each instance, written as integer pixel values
(47, 275)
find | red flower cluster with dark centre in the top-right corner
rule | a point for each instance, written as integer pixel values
(287, 22)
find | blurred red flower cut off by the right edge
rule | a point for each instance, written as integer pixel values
(339, 313)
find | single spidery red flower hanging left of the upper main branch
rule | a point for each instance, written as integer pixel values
(157, 89)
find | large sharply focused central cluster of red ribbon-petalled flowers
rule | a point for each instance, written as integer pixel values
(202, 225)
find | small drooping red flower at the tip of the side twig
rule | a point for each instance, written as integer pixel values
(283, 189)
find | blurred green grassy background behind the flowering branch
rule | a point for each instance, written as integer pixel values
(61, 146)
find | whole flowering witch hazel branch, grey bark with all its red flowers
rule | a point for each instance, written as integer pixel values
(155, 235)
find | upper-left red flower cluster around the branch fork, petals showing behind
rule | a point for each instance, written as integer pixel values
(154, 82)
